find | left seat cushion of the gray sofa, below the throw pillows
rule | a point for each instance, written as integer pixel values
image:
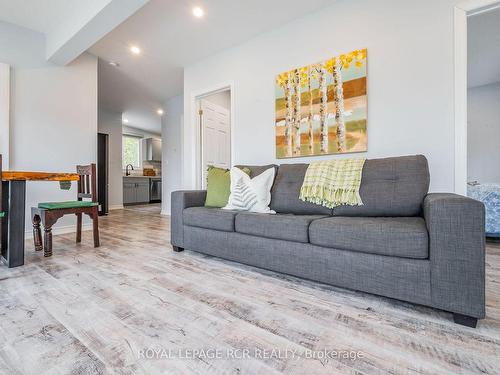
(209, 218)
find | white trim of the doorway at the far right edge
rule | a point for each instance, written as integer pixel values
(461, 12)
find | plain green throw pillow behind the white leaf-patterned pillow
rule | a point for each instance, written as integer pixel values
(219, 186)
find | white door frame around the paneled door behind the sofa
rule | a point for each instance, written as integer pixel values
(195, 97)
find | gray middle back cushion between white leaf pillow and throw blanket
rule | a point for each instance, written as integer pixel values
(286, 191)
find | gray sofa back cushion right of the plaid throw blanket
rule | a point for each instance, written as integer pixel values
(391, 187)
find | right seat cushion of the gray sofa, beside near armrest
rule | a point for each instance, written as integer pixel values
(405, 237)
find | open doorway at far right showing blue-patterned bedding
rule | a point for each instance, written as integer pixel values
(483, 114)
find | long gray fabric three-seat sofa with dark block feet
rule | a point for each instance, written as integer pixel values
(403, 243)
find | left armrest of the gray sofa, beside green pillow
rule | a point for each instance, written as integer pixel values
(180, 200)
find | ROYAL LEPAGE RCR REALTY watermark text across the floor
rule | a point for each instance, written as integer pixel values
(233, 353)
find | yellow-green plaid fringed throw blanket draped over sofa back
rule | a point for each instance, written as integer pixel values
(333, 183)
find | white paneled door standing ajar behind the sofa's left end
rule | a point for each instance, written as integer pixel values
(216, 138)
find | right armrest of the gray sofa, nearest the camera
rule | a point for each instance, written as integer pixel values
(457, 253)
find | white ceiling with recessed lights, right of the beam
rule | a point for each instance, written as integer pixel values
(171, 38)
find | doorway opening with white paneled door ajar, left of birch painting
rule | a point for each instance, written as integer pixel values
(214, 123)
